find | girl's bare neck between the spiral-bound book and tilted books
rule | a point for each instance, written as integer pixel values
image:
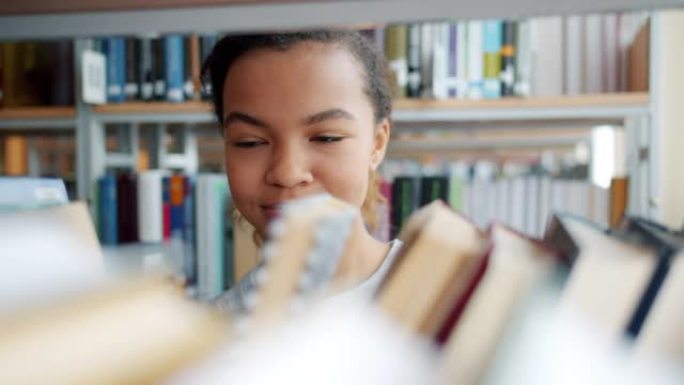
(363, 256)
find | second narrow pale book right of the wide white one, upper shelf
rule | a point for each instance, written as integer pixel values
(593, 53)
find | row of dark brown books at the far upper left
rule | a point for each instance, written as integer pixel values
(36, 73)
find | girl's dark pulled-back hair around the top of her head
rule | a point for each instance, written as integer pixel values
(232, 47)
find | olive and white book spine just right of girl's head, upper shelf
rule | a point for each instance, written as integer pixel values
(396, 46)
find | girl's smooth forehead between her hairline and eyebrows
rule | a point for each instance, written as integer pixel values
(309, 75)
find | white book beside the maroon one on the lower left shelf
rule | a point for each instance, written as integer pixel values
(150, 212)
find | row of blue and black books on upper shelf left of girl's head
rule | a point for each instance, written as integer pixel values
(155, 68)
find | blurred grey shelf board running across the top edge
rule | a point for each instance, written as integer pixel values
(32, 20)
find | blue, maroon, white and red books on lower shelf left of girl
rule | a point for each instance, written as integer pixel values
(155, 206)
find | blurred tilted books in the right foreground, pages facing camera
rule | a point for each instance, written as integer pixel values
(498, 302)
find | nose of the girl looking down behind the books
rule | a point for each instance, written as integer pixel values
(289, 168)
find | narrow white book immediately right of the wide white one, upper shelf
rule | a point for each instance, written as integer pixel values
(574, 54)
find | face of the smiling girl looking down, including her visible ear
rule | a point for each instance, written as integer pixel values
(297, 122)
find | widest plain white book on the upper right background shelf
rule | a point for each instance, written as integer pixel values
(546, 44)
